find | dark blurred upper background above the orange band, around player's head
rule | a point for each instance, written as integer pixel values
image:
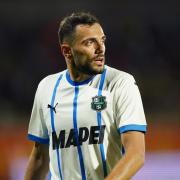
(142, 39)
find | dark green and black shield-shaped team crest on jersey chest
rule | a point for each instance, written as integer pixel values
(99, 103)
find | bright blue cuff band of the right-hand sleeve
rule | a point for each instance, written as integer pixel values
(133, 127)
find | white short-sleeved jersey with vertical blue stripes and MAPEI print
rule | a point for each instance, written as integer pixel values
(82, 122)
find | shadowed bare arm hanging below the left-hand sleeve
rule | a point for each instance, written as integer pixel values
(38, 164)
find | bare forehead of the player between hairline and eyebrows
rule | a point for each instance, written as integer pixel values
(88, 31)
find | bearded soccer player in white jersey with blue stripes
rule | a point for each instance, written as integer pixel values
(87, 121)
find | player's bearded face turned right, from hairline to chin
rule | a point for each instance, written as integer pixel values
(88, 49)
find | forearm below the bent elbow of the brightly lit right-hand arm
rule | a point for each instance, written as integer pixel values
(127, 167)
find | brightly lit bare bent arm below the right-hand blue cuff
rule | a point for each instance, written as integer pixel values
(133, 159)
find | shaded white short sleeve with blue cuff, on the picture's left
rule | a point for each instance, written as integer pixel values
(37, 130)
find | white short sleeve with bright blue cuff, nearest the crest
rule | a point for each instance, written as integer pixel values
(129, 108)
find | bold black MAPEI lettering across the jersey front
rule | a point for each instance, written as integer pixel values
(94, 135)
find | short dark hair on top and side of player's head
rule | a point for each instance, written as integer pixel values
(69, 23)
